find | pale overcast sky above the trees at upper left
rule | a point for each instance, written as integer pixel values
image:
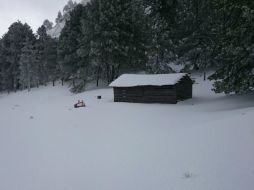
(33, 12)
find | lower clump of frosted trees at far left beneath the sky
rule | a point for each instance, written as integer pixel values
(27, 60)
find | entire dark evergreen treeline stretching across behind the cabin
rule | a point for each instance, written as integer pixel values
(105, 38)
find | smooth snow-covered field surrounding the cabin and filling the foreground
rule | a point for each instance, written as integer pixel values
(206, 143)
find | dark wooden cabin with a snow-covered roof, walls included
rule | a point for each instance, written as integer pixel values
(152, 88)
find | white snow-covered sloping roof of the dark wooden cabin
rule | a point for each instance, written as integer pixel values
(132, 80)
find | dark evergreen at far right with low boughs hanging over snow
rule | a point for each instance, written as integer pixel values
(235, 47)
